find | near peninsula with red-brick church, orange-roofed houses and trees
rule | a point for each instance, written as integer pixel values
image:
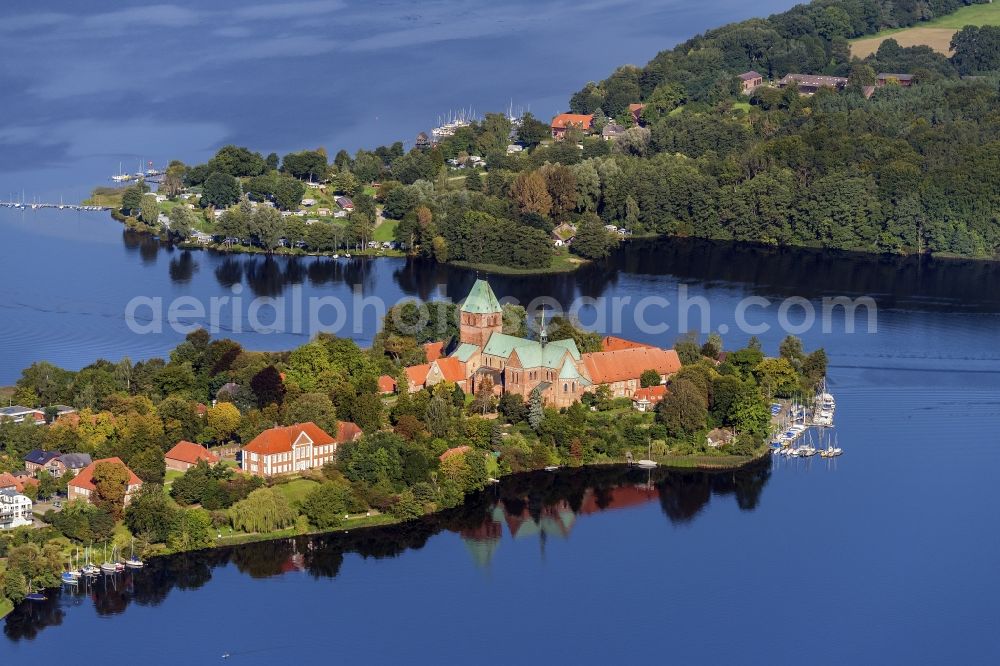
(218, 445)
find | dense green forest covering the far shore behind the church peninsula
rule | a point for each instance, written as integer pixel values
(909, 170)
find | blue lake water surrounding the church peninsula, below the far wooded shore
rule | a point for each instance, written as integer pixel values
(886, 555)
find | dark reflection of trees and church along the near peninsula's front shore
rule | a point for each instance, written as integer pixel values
(538, 504)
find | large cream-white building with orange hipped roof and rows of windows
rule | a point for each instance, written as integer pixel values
(295, 448)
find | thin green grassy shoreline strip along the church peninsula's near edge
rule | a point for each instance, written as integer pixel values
(687, 463)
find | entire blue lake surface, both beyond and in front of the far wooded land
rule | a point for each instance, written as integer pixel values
(885, 555)
